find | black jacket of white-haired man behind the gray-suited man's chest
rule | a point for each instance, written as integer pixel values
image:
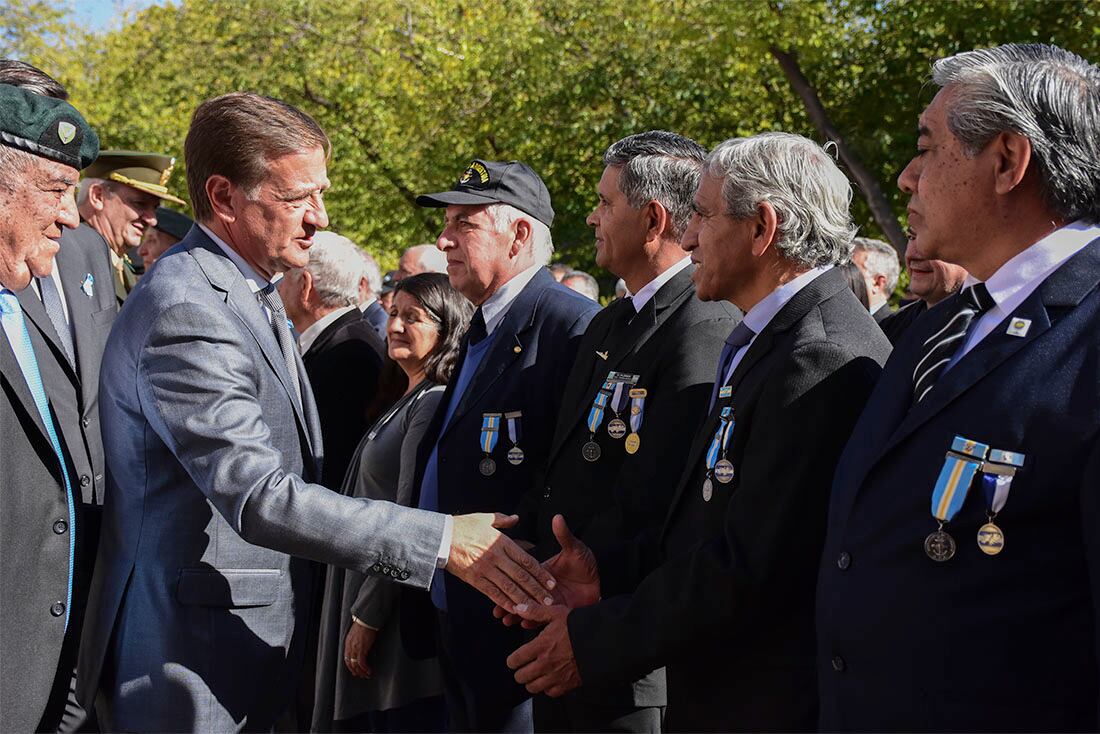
(344, 366)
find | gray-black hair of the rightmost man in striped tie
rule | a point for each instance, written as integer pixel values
(1048, 95)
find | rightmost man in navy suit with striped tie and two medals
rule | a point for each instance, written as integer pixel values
(961, 578)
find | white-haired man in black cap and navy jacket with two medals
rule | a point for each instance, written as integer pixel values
(492, 434)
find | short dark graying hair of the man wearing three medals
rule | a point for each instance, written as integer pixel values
(659, 167)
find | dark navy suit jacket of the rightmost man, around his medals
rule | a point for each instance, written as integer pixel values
(978, 643)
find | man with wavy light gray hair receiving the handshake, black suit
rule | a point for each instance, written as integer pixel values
(724, 595)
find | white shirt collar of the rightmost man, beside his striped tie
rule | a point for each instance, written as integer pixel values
(1019, 278)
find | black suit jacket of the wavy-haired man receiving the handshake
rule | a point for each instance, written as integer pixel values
(725, 599)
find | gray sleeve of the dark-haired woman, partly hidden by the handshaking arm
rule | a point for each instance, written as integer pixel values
(375, 604)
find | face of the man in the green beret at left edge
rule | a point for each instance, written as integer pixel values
(34, 211)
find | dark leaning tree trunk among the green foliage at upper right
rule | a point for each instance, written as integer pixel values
(868, 184)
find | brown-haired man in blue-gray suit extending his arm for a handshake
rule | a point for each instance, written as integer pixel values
(202, 586)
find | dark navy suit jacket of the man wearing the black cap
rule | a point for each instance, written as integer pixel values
(525, 370)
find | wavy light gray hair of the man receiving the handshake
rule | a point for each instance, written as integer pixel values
(810, 195)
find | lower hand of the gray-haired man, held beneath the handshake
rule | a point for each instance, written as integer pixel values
(547, 664)
